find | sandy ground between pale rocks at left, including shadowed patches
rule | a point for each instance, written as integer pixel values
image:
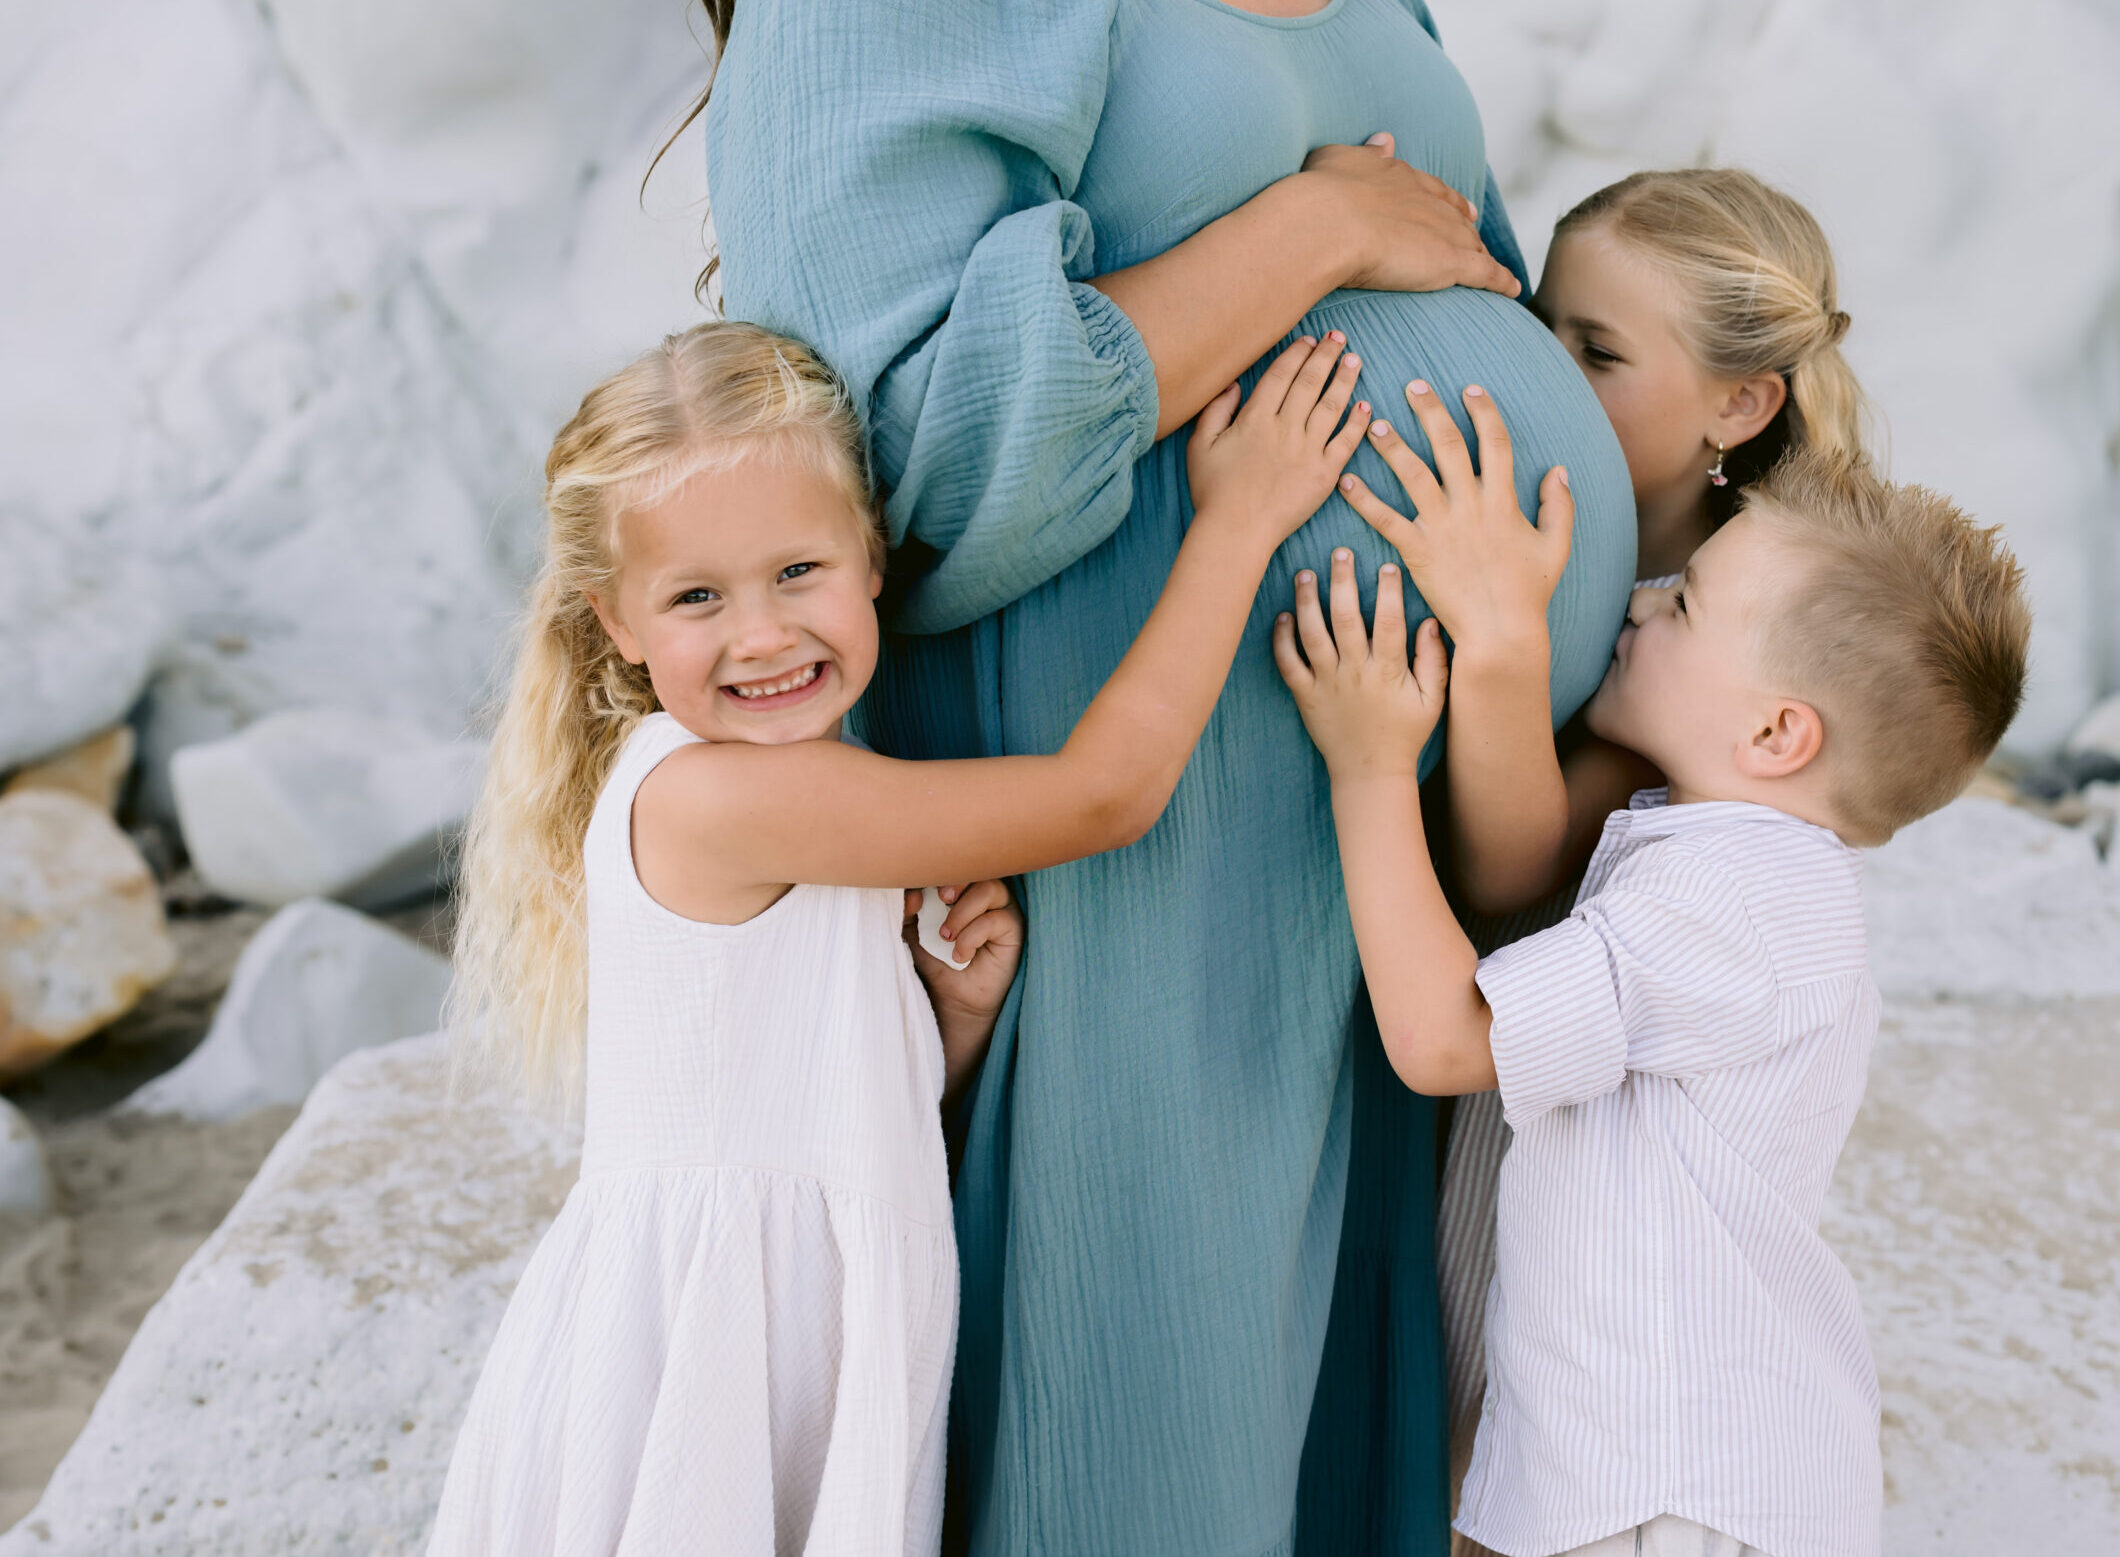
(137, 1195)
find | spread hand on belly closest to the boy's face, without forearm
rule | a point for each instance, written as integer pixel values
(1485, 572)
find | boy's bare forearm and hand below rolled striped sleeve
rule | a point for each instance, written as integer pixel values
(1371, 712)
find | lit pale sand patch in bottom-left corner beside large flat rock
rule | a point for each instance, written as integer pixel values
(137, 1197)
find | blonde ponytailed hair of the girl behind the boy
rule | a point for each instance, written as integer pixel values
(1761, 298)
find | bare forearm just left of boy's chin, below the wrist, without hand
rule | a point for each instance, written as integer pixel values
(1508, 801)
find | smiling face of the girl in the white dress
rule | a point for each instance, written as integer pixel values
(749, 593)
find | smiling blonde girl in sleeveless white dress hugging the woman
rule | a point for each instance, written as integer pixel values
(684, 903)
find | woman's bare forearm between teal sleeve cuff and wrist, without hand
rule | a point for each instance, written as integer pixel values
(1212, 307)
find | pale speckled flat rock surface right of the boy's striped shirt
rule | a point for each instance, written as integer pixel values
(1979, 1212)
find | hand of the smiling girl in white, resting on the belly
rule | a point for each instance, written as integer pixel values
(1269, 466)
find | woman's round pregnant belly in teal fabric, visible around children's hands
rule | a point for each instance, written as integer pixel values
(1464, 338)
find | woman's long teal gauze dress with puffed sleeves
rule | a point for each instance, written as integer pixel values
(1195, 1206)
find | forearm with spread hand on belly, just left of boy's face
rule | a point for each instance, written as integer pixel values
(1489, 578)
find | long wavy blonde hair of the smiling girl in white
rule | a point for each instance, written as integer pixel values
(703, 400)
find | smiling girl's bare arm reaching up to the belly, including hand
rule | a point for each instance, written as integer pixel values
(830, 814)
